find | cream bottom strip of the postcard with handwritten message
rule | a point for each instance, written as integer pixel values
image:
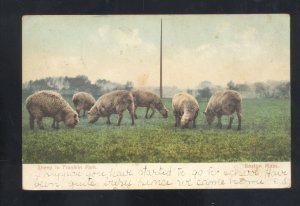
(128, 176)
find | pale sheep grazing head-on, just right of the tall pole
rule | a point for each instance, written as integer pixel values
(185, 109)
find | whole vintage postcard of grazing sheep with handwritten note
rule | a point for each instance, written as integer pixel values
(156, 102)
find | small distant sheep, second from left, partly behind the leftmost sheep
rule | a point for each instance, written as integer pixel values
(83, 101)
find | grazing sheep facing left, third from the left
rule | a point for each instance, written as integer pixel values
(115, 102)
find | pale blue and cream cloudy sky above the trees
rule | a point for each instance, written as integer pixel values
(120, 48)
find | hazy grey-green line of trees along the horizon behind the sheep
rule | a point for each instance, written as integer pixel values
(69, 85)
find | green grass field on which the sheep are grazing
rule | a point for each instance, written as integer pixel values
(265, 136)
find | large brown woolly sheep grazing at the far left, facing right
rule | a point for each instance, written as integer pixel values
(50, 104)
